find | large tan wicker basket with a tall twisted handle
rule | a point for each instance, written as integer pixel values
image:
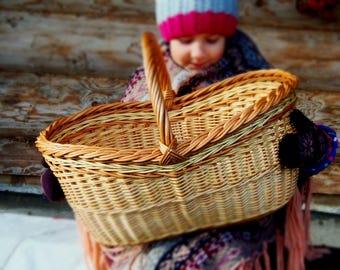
(142, 171)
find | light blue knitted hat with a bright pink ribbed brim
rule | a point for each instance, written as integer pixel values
(180, 18)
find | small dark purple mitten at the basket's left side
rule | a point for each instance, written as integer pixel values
(51, 186)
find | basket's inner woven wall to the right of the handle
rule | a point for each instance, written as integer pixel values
(202, 116)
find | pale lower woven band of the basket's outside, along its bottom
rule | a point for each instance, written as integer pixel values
(209, 210)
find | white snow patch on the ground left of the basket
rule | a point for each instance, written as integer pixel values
(38, 243)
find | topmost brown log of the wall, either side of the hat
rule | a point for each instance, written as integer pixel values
(276, 13)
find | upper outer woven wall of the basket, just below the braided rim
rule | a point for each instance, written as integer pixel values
(251, 156)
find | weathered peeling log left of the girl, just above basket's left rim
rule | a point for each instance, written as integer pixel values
(29, 102)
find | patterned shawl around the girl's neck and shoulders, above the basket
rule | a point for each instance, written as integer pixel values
(241, 55)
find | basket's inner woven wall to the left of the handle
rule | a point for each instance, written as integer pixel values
(116, 131)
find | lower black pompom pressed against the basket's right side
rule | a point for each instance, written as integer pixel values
(289, 153)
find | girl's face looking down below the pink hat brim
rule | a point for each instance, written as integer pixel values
(198, 52)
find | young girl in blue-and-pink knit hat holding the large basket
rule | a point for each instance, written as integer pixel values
(201, 46)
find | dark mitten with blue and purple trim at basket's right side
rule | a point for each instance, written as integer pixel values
(312, 148)
